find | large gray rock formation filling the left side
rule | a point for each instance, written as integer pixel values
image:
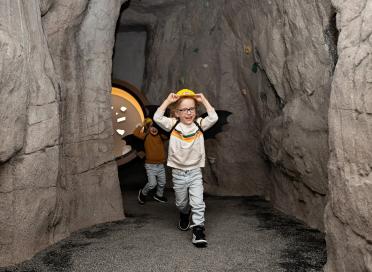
(57, 172)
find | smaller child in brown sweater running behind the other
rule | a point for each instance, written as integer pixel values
(154, 162)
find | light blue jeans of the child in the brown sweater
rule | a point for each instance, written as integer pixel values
(155, 176)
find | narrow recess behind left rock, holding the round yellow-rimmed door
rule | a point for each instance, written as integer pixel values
(128, 69)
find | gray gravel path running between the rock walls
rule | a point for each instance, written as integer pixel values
(244, 234)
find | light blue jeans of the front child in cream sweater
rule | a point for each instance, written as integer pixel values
(188, 188)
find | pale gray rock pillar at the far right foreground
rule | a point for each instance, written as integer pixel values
(349, 209)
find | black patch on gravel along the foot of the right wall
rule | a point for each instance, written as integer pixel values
(306, 248)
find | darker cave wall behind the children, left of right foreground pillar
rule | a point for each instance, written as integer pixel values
(271, 64)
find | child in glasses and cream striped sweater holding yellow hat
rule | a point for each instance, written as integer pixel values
(186, 156)
